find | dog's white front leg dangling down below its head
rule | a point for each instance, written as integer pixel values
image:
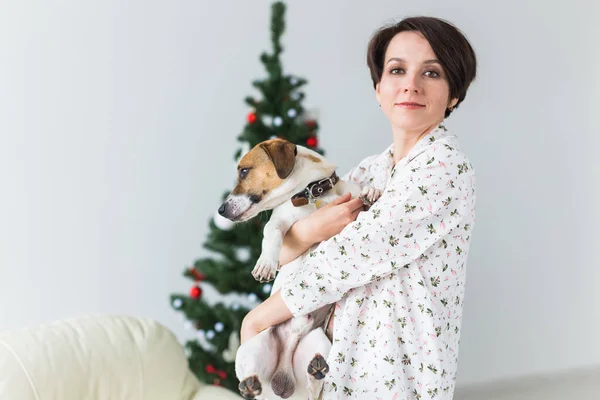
(268, 262)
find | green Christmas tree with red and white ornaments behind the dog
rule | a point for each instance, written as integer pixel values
(236, 247)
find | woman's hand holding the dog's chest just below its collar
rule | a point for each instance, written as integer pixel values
(332, 218)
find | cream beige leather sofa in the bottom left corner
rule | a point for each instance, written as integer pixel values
(99, 358)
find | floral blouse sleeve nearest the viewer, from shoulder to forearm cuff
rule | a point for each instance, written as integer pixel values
(420, 205)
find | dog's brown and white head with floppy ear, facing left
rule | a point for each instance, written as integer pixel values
(260, 173)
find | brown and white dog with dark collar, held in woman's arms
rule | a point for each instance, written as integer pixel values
(293, 181)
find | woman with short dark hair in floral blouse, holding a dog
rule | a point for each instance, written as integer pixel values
(396, 271)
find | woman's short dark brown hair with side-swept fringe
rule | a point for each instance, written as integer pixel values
(449, 44)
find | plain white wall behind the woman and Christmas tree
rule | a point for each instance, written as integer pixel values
(117, 132)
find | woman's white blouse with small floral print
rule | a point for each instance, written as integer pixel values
(397, 274)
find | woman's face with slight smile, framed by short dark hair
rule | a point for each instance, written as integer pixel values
(413, 91)
